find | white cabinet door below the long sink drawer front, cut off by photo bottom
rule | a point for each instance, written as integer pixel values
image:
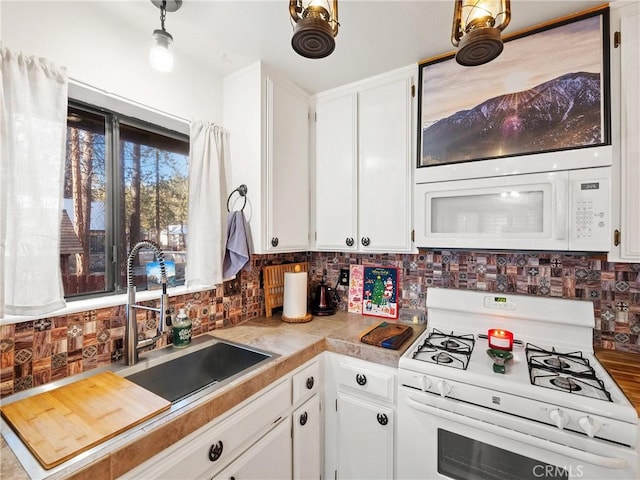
(268, 459)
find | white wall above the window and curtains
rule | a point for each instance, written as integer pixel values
(80, 36)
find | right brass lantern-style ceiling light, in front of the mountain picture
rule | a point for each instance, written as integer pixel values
(477, 25)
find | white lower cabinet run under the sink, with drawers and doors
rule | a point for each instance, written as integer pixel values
(254, 440)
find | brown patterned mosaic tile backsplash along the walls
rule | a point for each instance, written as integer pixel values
(37, 352)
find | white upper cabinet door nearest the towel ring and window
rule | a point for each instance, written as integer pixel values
(287, 145)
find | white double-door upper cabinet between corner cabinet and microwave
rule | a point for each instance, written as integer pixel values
(363, 154)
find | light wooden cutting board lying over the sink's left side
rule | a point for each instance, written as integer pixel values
(61, 423)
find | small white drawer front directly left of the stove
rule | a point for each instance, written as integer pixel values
(357, 375)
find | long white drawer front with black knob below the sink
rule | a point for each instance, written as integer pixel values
(212, 448)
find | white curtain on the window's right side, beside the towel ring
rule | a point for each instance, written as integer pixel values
(208, 164)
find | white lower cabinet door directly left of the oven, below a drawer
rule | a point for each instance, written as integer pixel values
(365, 439)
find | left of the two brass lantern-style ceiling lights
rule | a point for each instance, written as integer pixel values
(316, 25)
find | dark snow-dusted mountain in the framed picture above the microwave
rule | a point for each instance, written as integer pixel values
(557, 114)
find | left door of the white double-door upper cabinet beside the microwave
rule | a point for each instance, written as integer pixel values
(335, 174)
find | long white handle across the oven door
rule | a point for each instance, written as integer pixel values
(606, 462)
